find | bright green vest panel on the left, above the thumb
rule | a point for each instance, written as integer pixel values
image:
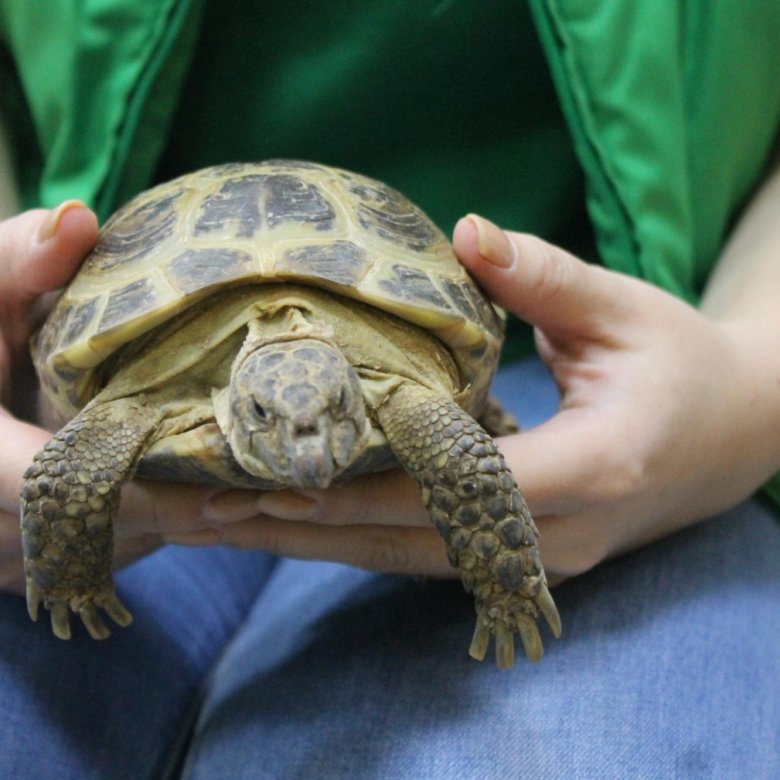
(100, 81)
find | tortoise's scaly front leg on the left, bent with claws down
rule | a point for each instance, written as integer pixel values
(69, 498)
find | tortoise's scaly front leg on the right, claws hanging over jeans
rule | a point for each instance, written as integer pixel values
(478, 509)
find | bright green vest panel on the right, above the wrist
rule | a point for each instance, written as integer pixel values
(673, 108)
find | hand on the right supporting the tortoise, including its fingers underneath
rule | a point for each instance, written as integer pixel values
(662, 422)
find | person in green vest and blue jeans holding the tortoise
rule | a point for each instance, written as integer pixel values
(279, 634)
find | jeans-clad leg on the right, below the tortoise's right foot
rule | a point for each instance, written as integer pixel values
(669, 667)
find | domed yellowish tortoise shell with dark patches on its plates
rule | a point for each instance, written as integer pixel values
(251, 223)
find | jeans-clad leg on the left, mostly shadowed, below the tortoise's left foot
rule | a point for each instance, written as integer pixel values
(120, 708)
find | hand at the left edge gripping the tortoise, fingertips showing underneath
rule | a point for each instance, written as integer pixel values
(39, 251)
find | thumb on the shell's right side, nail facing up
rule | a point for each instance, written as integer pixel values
(541, 283)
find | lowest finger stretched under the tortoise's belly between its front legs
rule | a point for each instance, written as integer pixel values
(398, 550)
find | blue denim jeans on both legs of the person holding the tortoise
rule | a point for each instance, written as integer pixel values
(239, 665)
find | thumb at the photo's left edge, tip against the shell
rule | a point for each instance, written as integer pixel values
(40, 250)
